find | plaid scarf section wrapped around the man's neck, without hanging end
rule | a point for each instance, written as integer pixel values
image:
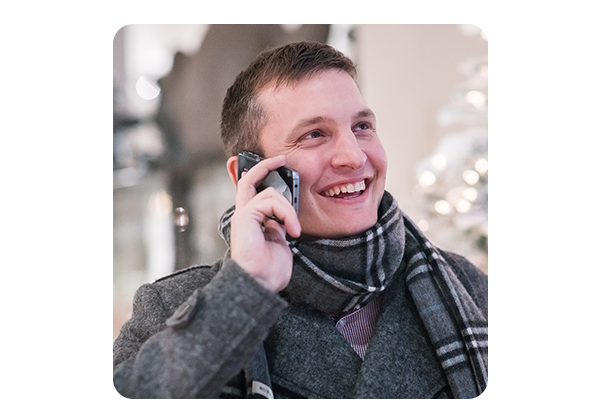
(351, 271)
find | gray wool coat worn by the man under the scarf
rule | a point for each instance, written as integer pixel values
(192, 332)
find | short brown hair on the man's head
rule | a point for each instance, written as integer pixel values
(242, 117)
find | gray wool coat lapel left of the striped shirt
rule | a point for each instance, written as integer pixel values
(308, 356)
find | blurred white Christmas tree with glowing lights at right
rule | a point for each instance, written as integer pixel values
(452, 182)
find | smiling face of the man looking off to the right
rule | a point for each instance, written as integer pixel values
(327, 133)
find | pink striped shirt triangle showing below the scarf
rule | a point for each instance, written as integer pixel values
(357, 326)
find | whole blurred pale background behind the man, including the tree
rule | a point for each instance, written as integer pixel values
(426, 83)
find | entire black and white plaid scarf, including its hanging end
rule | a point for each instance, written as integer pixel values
(337, 275)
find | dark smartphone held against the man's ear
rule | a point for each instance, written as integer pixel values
(283, 180)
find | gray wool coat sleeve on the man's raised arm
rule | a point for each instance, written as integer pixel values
(208, 339)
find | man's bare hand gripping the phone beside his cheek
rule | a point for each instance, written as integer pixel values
(263, 251)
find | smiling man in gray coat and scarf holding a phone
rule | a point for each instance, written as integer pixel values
(347, 299)
